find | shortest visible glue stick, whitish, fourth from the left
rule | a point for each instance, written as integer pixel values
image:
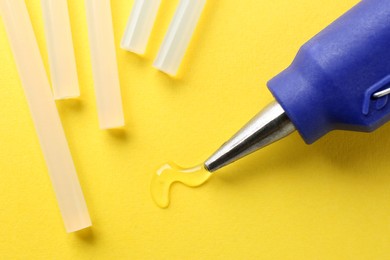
(140, 25)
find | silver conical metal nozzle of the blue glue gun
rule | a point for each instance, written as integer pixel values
(269, 126)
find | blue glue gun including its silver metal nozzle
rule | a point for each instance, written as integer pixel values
(340, 80)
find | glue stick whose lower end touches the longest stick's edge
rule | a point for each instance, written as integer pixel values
(60, 48)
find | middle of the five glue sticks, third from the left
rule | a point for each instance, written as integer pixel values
(104, 64)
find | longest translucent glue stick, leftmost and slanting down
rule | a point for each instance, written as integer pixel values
(44, 114)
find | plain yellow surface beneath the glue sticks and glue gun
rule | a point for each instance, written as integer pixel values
(330, 200)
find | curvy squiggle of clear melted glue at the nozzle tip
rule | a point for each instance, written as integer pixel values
(171, 173)
